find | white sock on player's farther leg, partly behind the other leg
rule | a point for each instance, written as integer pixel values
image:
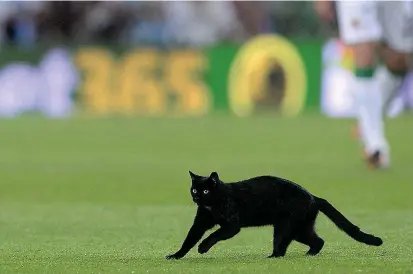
(389, 85)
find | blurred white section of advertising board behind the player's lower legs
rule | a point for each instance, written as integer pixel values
(336, 93)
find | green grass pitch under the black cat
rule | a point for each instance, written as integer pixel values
(112, 195)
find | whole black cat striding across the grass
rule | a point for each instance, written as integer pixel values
(260, 201)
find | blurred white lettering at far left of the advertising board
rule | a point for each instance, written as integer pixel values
(45, 86)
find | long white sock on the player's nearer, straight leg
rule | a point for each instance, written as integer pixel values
(369, 108)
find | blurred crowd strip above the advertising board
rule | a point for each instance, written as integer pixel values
(196, 23)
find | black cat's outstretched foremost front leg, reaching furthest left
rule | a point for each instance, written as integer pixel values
(203, 222)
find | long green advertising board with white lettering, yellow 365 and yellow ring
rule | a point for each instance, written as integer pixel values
(267, 73)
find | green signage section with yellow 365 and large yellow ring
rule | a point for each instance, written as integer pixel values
(267, 73)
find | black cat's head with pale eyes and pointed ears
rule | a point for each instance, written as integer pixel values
(204, 189)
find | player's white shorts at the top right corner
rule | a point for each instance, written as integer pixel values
(368, 21)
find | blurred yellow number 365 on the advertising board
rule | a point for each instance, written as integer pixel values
(144, 81)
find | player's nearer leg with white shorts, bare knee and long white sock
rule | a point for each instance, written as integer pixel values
(360, 28)
